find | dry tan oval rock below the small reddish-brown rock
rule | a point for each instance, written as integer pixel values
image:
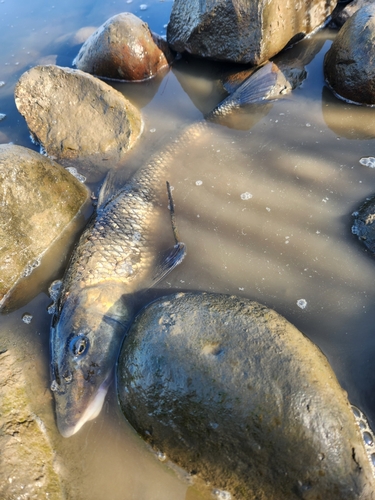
(74, 115)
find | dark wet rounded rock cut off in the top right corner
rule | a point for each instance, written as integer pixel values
(349, 65)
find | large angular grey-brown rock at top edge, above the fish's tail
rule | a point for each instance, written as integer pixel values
(247, 31)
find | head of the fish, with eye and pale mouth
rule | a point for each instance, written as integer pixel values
(86, 336)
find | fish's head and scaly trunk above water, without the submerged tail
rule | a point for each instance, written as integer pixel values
(114, 259)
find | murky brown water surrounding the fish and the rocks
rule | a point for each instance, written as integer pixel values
(265, 213)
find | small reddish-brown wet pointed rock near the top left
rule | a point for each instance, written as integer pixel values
(124, 48)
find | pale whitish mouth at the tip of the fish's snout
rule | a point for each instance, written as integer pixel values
(69, 427)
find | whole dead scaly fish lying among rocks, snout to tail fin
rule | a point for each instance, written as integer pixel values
(116, 257)
